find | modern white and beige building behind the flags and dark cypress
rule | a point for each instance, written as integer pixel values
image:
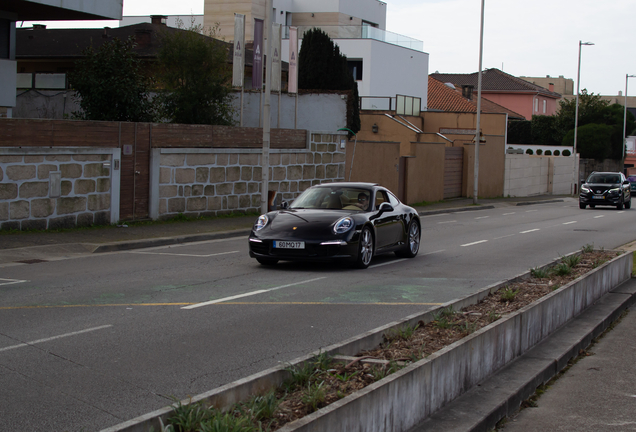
(384, 63)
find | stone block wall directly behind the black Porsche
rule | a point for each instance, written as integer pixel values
(205, 182)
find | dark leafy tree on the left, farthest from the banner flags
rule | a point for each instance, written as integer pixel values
(111, 85)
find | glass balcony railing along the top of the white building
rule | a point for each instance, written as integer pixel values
(362, 32)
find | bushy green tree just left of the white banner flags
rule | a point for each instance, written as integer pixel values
(194, 77)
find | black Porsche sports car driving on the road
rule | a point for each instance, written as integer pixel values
(337, 222)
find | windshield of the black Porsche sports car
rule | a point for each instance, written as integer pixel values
(333, 198)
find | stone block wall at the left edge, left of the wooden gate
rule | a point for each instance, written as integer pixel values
(57, 188)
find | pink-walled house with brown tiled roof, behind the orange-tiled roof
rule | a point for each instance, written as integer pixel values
(513, 93)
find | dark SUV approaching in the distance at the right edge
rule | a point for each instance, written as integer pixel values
(605, 188)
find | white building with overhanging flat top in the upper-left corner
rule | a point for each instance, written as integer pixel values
(25, 10)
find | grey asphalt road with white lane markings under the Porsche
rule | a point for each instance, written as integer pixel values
(89, 342)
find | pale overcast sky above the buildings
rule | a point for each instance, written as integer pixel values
(523, 38)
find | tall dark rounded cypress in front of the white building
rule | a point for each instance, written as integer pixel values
(321, 66)
